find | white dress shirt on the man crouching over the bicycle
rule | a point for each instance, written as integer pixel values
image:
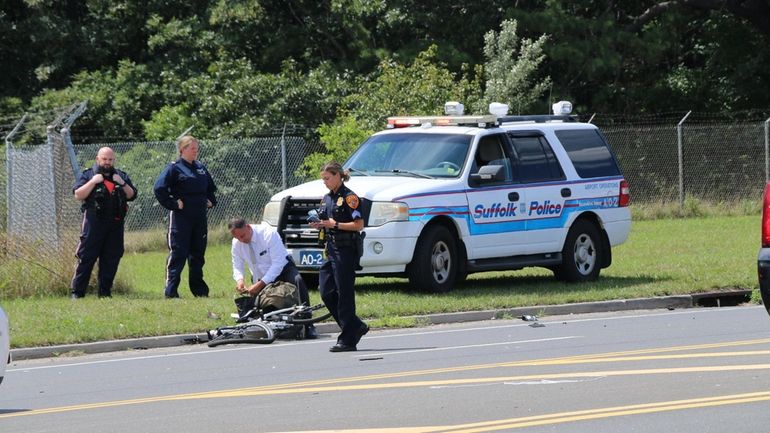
(268, 258)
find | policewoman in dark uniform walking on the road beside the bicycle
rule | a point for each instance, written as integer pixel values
(342, 221)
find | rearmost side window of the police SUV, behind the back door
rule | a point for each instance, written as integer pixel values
(589, 153)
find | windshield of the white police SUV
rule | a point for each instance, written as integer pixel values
(411, 154)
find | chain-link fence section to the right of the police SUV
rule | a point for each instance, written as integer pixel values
(707, 157)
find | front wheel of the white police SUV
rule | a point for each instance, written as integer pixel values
(435, 262)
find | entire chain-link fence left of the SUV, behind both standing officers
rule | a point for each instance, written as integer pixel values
(41, 219)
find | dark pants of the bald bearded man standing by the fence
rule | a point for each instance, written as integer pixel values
(99, 240)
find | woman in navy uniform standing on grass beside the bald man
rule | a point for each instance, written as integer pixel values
(185, 187)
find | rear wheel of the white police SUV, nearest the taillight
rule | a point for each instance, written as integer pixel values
(582, 254)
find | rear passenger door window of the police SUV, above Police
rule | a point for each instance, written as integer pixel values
(535, 159)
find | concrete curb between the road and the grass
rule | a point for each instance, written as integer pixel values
(654, 303)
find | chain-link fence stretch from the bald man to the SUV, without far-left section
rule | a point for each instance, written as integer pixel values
(247, 172)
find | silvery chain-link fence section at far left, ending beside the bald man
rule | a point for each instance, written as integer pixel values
(39, 228)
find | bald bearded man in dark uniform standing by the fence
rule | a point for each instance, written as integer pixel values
(105, 192)
